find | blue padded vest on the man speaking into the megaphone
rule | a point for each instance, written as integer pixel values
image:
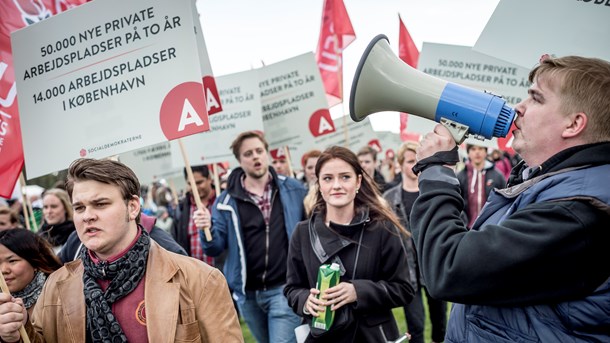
(583, 320)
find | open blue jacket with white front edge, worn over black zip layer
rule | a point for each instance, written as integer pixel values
(227, 234)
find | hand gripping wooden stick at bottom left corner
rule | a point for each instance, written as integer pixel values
(12, 315)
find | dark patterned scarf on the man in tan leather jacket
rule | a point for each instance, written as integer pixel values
(125, 275)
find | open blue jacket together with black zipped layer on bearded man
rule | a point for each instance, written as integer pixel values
(256, 256)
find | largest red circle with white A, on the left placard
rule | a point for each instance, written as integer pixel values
(183, 111)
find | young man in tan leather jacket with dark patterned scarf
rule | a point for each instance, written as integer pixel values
(124, 287)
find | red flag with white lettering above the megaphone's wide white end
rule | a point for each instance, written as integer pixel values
(336, 34)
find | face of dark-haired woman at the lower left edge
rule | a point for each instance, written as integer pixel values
(17, 271)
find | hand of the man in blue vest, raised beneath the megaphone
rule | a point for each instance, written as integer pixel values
(436, 148)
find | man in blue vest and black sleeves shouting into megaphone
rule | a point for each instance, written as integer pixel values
(532, 268)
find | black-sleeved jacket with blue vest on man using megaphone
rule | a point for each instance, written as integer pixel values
(531, 269)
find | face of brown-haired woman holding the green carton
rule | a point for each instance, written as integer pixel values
(338, 184)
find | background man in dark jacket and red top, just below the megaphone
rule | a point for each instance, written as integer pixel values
(478, 178)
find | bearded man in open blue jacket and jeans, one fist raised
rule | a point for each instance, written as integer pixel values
(253, 220)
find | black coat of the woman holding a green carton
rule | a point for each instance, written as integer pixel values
(381, 279)
